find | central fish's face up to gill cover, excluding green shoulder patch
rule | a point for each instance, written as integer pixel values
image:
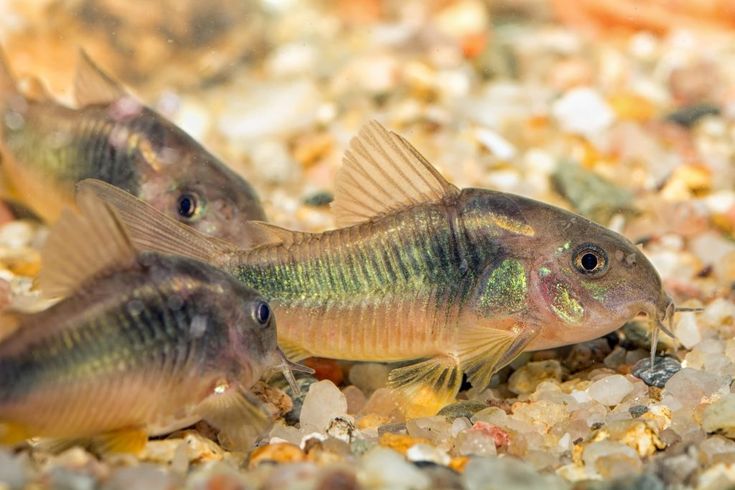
(586, 280)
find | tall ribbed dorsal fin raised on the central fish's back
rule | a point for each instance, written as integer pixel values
(382, 173)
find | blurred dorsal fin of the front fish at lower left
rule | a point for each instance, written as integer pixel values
(83, 244)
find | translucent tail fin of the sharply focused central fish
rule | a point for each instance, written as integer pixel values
(151, 230)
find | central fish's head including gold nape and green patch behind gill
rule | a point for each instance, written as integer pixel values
(573, 279)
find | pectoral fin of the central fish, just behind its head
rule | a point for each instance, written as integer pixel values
(484, 350)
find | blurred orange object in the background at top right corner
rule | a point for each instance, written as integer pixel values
(658, 16)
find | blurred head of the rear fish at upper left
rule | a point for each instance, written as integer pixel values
(185, 181)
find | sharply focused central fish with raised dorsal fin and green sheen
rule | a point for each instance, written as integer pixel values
(445, 281)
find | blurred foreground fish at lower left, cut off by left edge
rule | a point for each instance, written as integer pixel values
(139, 344)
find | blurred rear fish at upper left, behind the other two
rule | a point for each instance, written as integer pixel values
(47, 147)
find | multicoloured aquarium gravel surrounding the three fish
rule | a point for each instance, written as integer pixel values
(634, 129)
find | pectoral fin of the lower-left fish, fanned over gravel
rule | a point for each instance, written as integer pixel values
(239, 416)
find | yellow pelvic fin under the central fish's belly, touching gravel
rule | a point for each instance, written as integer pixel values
(427, 386)
